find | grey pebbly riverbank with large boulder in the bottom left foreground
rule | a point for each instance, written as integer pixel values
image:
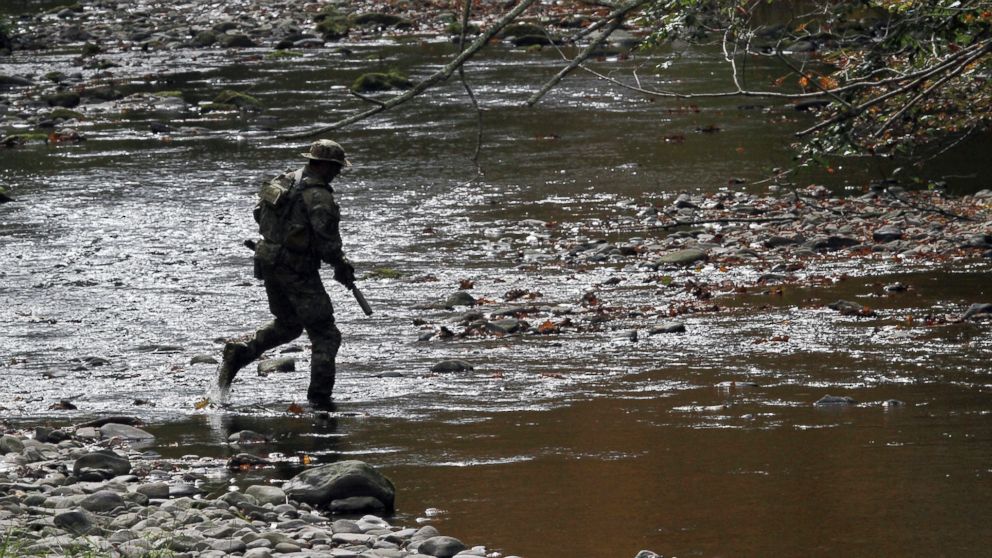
(85, 491)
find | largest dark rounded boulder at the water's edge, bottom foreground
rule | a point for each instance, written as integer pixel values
(336, 481)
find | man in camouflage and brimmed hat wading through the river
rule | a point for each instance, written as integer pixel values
(298, 220)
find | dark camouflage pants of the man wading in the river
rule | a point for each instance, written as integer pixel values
(299, 302)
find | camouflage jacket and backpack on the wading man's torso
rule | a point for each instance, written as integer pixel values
(306, 230)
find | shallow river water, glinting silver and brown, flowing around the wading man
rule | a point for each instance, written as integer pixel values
(127, 248)
